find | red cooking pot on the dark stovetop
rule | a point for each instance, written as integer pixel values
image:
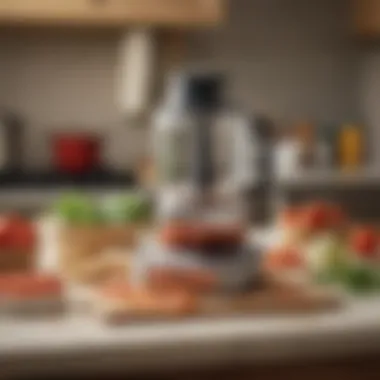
(75, 153)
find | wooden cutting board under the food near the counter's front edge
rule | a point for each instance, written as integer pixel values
(270, 297)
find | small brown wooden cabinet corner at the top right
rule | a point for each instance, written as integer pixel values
(366, 15)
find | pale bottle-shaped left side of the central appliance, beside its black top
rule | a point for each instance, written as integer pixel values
(172, 150)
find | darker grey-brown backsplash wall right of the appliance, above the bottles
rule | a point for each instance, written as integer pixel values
(288, 58)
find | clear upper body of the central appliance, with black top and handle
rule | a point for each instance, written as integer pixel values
(206, 150)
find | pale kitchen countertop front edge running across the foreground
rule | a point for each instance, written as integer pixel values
(79, 342)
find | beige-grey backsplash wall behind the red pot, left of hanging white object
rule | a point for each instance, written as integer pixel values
(62, 81)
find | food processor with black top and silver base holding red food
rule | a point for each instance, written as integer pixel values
(200, 243)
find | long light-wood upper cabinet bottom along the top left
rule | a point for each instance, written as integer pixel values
(111, 13)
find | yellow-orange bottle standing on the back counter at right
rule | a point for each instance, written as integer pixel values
(350, 147)
